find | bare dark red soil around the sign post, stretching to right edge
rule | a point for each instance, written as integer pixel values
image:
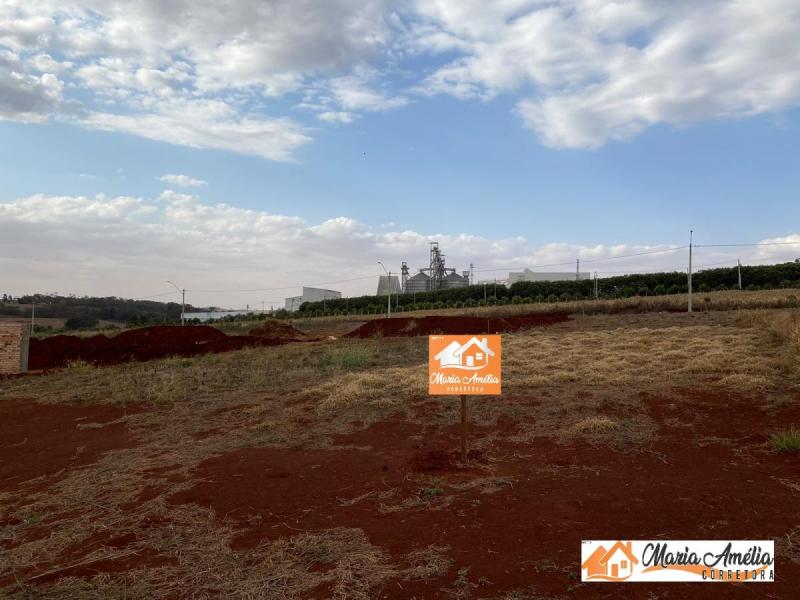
(709, 475)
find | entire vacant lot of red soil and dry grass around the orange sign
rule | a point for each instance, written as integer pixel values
(323, 470)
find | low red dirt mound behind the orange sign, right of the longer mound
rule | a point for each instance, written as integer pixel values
(413, 326)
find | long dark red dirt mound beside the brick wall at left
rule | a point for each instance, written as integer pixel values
(139, 344)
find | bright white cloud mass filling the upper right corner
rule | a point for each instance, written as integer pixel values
(591, 71)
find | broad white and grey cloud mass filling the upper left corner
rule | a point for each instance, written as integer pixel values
(190, 72)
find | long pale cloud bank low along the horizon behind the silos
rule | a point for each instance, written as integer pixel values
(128, 246)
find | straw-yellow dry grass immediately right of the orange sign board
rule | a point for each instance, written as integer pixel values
(641, 356)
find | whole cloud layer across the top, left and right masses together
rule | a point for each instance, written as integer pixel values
(581, 73)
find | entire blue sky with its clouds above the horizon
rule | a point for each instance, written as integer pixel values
(244, 150)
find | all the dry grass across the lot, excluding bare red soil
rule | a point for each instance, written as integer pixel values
(582, 380)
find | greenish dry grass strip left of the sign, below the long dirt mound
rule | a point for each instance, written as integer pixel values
(292, 366)
